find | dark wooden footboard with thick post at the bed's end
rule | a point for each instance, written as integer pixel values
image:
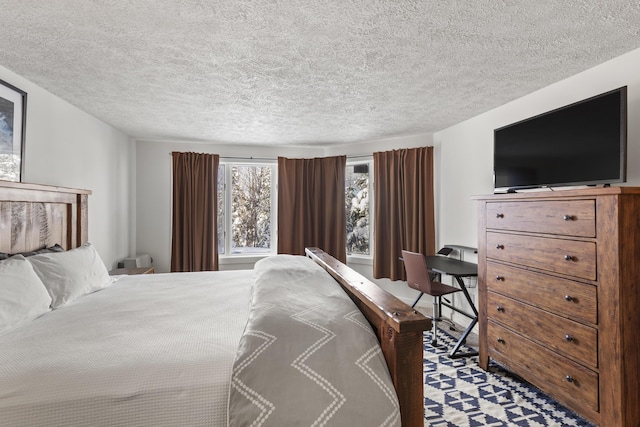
(399, 329)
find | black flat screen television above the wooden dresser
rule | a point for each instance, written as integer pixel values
(584, 143)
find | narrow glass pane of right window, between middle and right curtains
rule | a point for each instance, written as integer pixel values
(357, 208)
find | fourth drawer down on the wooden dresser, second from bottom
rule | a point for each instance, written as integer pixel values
(573, 339)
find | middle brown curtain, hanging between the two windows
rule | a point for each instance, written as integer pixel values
(311, 209)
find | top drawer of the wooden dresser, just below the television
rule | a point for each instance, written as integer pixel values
(565, 217)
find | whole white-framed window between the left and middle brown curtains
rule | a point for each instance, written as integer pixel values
(245, 214)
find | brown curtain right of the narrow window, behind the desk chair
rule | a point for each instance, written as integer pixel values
(403, 211)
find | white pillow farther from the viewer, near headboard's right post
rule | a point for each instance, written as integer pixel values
(68, 275)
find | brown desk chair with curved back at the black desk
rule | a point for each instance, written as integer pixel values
(418, 277)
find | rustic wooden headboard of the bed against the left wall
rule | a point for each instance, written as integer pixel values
(33, 216)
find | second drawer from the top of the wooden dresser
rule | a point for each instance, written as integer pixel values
(571, 257)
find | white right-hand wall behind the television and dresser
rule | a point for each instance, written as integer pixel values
(467, 148)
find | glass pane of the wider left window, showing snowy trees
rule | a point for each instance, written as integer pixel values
(251, 209)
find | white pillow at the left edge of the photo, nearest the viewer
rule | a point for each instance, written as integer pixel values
(22, 295)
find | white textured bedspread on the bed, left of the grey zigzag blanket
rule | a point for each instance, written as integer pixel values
(160, 346)
